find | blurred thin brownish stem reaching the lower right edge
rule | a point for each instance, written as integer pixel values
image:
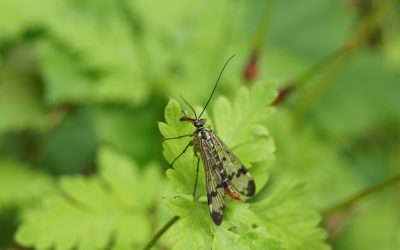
(354, 199)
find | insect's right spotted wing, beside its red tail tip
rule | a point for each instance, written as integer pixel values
(237, 174)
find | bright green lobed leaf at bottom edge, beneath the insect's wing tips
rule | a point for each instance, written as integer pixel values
(194, 229)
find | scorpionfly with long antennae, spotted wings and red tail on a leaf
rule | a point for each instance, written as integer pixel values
(224, 172)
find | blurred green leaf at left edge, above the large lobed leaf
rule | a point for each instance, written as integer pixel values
(20, 184)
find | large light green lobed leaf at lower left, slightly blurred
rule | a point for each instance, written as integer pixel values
(109, 209)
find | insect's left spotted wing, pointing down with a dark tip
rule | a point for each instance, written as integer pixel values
(215, 190)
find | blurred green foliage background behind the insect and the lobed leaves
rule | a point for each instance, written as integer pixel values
(79, 74)
